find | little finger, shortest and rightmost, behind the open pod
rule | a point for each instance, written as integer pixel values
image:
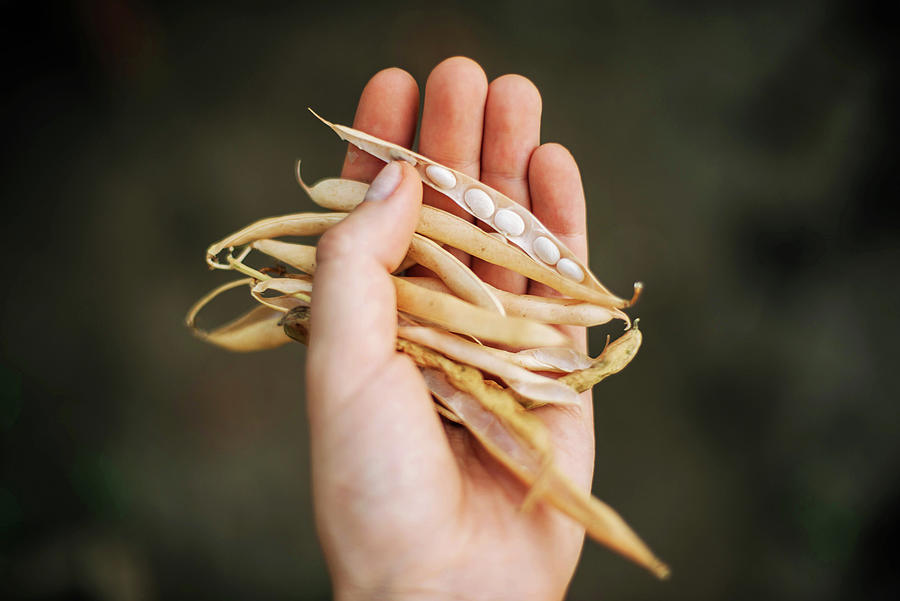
(557, 200)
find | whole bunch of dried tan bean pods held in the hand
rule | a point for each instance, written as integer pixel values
(446, 323)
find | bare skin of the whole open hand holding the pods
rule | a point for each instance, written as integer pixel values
(408, 506)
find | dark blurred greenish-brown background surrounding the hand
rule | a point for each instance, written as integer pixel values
(740, 158)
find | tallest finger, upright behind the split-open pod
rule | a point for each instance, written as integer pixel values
(452, 120)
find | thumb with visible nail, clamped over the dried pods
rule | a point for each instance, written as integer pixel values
(353, 319)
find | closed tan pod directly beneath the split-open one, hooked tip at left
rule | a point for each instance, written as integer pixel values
(446, 228)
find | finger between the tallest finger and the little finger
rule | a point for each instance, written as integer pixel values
(512, 130)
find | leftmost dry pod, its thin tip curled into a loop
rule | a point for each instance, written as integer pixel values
(256, 330)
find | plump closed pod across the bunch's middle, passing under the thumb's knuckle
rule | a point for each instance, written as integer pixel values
(441, 309)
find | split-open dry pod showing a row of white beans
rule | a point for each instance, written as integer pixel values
(502, 213)
